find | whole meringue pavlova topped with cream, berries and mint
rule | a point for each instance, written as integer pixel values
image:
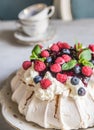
(55, 88)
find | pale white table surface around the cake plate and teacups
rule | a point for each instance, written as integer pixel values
(12, 53)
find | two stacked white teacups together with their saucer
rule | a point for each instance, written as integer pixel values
(34, 22)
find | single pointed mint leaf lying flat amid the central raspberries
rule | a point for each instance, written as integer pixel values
(69, 65)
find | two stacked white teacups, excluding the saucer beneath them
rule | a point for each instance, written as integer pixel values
(34, 19)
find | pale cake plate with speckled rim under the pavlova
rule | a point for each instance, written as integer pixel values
(10, 110)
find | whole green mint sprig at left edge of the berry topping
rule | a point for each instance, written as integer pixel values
(35, 54)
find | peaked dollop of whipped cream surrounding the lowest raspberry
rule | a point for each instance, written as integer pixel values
(56, 88)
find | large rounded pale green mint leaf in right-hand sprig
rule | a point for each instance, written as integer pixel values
(85, 54)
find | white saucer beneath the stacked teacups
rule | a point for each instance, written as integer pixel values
(29, 40)
